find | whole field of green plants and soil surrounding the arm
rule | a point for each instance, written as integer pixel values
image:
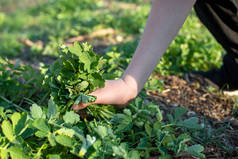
(55, 52)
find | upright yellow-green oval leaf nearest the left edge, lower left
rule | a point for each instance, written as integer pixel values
(7, 130)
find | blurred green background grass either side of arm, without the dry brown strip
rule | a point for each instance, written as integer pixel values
(56, 21)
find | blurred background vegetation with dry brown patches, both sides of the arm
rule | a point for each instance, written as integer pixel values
(32, 30)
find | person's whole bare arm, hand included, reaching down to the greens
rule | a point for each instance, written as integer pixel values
(165, 20)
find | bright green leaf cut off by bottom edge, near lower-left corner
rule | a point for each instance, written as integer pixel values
(17, 153)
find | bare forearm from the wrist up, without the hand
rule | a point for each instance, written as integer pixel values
(165, 20)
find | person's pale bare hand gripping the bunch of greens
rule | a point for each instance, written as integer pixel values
(116, 92)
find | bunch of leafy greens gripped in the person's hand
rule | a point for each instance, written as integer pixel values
(77, 72)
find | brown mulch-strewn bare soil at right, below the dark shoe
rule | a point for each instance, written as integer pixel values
(215, 108)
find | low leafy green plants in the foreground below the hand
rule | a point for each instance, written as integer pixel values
(137, 132)
